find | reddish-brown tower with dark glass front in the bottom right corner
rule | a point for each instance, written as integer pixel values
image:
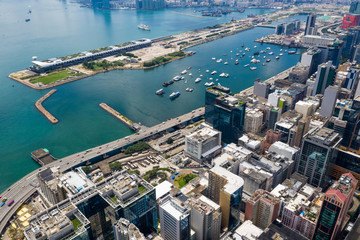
(337, 200)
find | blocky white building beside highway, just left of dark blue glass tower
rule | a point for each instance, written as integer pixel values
(203, 144)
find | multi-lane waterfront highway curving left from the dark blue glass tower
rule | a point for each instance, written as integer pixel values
(25, 187)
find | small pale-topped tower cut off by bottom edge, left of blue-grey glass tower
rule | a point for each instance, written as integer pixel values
(124, 230)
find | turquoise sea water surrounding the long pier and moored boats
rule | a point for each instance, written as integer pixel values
(58, 28)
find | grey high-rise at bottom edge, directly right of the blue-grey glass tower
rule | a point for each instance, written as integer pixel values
(205, 218)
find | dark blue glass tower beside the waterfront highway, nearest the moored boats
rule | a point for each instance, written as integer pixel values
(225, 113)
